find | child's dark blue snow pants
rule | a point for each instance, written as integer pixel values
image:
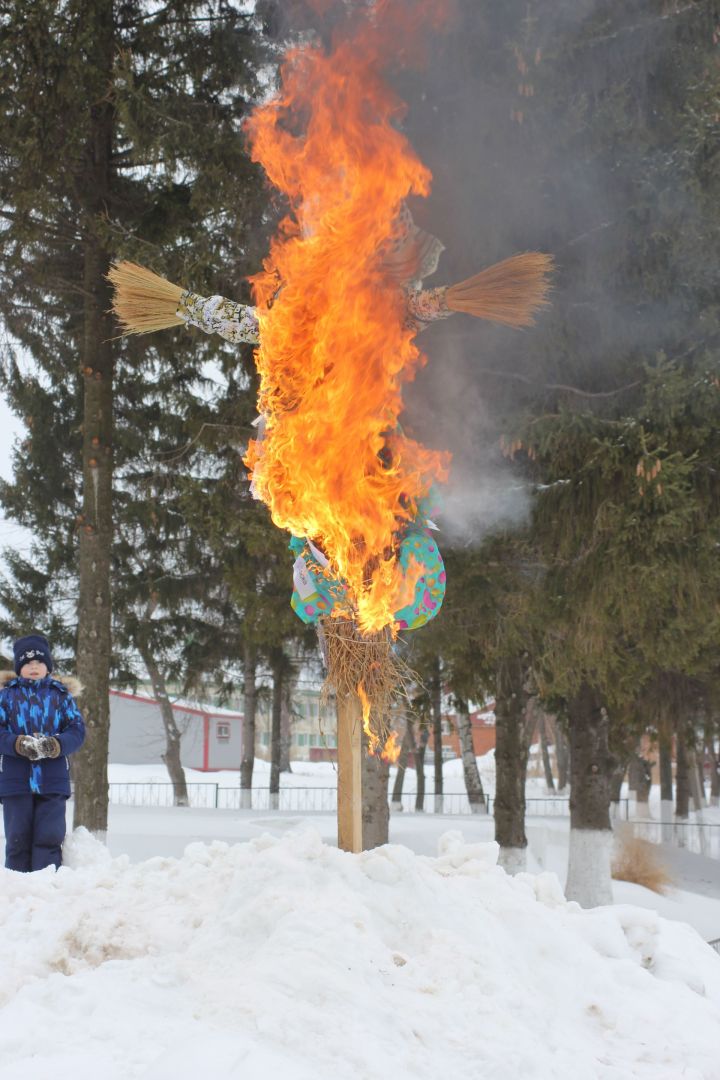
(35, 831)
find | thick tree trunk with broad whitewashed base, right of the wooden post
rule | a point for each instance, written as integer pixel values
(591, 835)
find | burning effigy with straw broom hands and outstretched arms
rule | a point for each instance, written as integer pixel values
(339, 306)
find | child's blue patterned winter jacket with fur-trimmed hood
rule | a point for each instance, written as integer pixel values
(37, 707)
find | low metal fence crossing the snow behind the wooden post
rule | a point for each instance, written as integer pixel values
(318, 801)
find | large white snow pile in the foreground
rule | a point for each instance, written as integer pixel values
(287, 958)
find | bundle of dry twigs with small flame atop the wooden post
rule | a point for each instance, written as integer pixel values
(368, 666)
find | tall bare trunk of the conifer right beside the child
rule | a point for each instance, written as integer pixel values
(94, 605)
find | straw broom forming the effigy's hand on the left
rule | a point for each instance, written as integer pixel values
(144, 302)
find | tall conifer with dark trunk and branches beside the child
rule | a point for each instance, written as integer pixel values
(119, 137)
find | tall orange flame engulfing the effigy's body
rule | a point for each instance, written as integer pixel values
(336, 348)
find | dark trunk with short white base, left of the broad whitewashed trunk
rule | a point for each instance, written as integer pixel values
(511, 764)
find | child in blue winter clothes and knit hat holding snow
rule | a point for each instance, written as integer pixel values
(40, 724)
